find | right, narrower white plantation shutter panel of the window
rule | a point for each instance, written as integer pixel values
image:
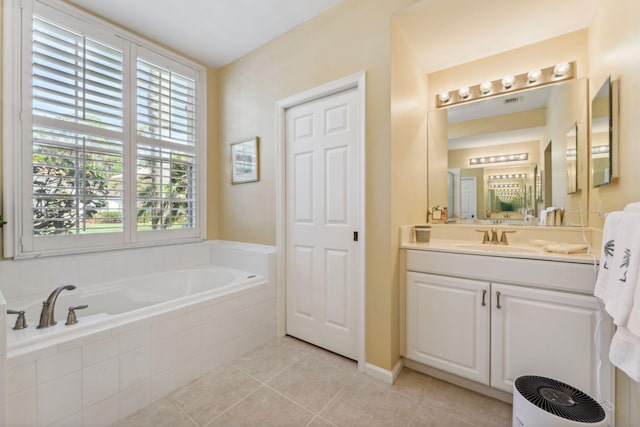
(166, 146)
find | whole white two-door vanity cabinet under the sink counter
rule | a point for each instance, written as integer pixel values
(463, 321)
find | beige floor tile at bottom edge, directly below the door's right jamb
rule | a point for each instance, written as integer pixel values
(366, 403)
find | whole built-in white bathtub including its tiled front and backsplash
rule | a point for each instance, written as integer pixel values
(140, 338)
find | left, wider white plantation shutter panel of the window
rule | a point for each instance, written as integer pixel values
(77, 118)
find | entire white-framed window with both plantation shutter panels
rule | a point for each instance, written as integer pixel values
(111, 137)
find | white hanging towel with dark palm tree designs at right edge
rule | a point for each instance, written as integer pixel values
(619, 264)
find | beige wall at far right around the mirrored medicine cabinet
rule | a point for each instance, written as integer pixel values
(614, 50)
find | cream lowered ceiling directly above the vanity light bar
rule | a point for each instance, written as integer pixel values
(446, 33)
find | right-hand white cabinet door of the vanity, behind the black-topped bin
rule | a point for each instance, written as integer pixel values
(547, 333)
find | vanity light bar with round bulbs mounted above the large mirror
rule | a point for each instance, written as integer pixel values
(509, 83)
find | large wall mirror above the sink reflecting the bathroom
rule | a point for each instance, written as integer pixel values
(505, 159)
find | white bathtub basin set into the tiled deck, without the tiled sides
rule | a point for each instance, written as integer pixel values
(112, 304)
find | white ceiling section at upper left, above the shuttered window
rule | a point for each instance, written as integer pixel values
(213, 32)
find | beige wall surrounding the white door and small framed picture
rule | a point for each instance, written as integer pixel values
(353, 36)
